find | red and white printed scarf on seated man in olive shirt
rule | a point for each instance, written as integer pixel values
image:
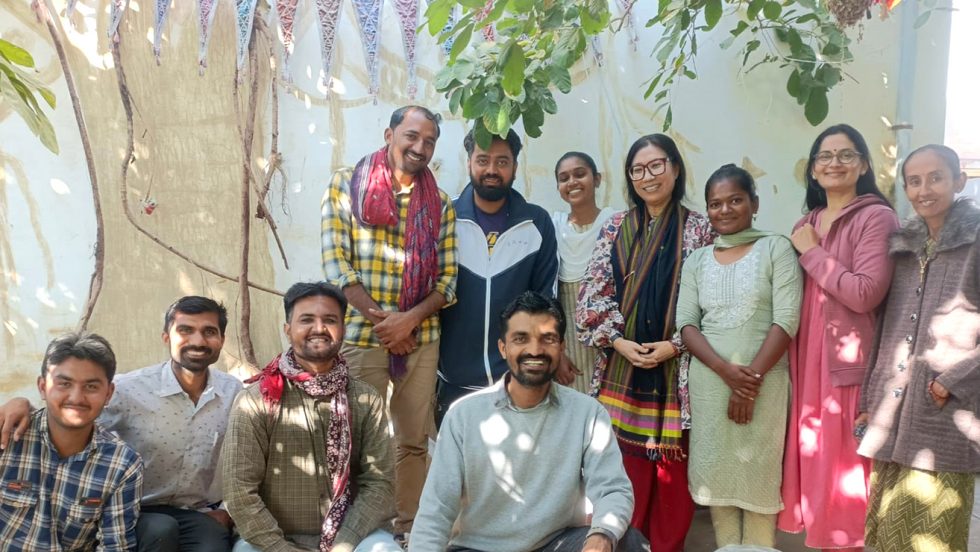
(331, 386)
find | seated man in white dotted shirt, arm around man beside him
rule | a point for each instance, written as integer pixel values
(174, 414)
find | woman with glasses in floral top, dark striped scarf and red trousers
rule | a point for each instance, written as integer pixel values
(626, 309)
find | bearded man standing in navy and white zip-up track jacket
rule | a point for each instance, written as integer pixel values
(506, 247)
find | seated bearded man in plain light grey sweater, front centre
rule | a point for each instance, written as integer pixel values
(514, 460)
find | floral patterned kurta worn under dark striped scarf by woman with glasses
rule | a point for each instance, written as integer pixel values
(598, 318)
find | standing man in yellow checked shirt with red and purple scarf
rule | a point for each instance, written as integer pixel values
(389, 241)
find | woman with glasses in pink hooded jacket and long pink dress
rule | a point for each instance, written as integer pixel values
(843, 246)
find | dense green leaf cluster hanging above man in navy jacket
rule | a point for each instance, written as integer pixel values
(513, 78)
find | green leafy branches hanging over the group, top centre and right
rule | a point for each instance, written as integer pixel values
(496, 83)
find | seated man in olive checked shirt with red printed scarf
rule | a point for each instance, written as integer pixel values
(307, 461)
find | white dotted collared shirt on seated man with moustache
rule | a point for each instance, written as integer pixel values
(179, 441)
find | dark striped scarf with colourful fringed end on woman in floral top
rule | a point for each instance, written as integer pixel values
(644, 404)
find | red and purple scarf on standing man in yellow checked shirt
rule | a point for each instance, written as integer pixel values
(373, 204)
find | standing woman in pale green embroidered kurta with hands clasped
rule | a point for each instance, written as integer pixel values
(739, 306)
